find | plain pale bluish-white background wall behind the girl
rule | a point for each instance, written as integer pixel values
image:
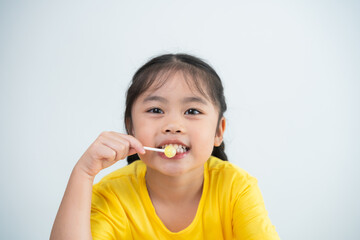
(291, 76)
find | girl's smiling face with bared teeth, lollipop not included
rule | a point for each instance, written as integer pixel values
(176, 114)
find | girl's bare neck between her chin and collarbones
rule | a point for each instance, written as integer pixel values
(175, 189)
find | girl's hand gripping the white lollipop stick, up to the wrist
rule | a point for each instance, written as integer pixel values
(106, 150)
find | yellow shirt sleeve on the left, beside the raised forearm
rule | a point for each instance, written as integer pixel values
(108, 220)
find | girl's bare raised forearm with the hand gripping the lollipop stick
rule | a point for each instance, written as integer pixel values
(73, 218)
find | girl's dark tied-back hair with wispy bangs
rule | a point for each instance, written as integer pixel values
(195, 71)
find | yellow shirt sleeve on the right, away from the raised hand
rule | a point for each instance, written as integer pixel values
(250, 218)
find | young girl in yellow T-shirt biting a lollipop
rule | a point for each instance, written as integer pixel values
(174, 99)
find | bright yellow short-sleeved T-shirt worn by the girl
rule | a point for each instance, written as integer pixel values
(231, 207)
